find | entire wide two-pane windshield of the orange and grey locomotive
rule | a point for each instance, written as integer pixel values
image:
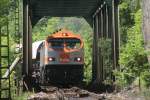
(69, 43)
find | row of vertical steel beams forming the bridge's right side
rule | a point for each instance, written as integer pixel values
(105, 26)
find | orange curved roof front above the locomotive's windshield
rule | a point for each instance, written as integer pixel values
(64, 34)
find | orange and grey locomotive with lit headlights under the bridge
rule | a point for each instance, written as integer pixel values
(58, 59)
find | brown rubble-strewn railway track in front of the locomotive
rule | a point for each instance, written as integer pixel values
(73, 93)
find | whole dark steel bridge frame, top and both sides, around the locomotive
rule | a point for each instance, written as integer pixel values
(102, 15)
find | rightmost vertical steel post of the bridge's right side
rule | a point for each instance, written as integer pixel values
(113, 32)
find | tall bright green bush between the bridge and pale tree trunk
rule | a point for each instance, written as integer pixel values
(133, 58)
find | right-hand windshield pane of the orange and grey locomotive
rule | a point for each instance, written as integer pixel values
(73, 43)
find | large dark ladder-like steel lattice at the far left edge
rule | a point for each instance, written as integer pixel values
(4, 62)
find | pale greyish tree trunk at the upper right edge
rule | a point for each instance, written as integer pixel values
(146, 24)
